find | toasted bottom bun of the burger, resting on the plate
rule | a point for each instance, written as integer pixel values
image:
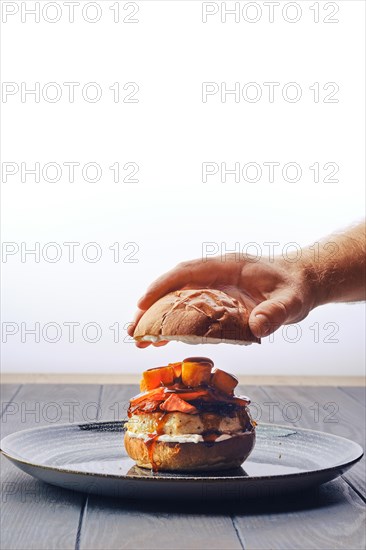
(161, 455)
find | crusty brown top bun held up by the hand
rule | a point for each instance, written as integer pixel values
(204, 316)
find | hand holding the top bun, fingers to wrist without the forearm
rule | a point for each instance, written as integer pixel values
(275, 292)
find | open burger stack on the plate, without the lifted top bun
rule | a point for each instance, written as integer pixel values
(187, 418)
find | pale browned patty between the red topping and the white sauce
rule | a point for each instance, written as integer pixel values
(177, 423)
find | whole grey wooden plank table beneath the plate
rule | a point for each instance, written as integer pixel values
(37, 515)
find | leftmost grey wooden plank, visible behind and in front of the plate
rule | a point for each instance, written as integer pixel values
(36, 515)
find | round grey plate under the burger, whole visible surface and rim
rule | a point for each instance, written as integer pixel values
(91, 458)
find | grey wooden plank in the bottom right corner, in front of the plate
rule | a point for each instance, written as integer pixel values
(332, 517)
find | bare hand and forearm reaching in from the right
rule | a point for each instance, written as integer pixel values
(279, 290)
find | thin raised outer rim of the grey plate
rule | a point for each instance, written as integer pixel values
(192, 478)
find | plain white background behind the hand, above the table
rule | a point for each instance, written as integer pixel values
(169, 133)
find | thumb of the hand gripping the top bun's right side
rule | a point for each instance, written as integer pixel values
(268, 316)
